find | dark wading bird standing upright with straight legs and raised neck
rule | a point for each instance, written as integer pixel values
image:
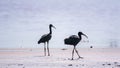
(45, 38)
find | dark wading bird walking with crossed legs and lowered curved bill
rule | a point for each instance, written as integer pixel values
(74, 40)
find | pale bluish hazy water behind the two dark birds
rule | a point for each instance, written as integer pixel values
(23, 22)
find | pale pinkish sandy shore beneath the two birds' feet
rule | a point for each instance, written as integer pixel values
(60, 58)
